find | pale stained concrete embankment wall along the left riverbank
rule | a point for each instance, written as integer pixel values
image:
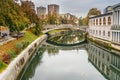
(17, 65)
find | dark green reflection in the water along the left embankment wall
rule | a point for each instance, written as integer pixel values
(36, 61)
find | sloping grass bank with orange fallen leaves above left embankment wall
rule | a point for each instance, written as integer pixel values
(6, 48)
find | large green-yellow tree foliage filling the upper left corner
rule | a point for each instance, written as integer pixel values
(11, 15)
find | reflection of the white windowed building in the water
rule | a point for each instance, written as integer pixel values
(106, 61)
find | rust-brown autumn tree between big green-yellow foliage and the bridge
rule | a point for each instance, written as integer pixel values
(32, 16)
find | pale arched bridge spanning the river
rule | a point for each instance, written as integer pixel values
(48, 28)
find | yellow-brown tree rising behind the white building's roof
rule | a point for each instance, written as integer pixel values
(93, 11)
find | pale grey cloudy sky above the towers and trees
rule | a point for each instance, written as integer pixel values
(77, 7)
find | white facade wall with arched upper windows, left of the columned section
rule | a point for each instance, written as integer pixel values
(95, 29)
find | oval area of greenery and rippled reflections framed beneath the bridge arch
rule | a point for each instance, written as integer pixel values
(67, 37)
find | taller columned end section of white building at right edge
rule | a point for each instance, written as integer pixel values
(115, 29)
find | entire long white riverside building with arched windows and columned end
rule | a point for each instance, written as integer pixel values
(106, 26)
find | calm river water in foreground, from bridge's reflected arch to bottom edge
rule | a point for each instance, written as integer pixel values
(86, 61)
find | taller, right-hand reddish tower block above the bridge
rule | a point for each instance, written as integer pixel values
(53, 9)
